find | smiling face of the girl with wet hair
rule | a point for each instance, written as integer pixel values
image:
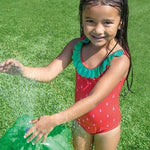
(100, 24)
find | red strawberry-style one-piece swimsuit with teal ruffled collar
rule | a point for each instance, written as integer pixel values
(106, 115)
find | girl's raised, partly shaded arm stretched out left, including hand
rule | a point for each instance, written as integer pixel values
(43, 74)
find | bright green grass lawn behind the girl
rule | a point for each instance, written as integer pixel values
(35, 32)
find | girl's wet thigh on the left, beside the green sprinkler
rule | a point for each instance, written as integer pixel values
(81, 139)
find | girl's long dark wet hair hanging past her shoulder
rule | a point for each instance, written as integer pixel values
(121, 36)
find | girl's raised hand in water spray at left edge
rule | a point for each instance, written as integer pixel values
(11, 66)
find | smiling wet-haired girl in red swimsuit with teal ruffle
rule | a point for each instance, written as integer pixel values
(102, 61)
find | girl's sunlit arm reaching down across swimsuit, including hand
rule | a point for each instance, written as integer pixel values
(118, 70)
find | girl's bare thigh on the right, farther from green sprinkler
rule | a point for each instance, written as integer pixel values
(108, 140)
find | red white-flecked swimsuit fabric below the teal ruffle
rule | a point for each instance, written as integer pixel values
(106, 115)
